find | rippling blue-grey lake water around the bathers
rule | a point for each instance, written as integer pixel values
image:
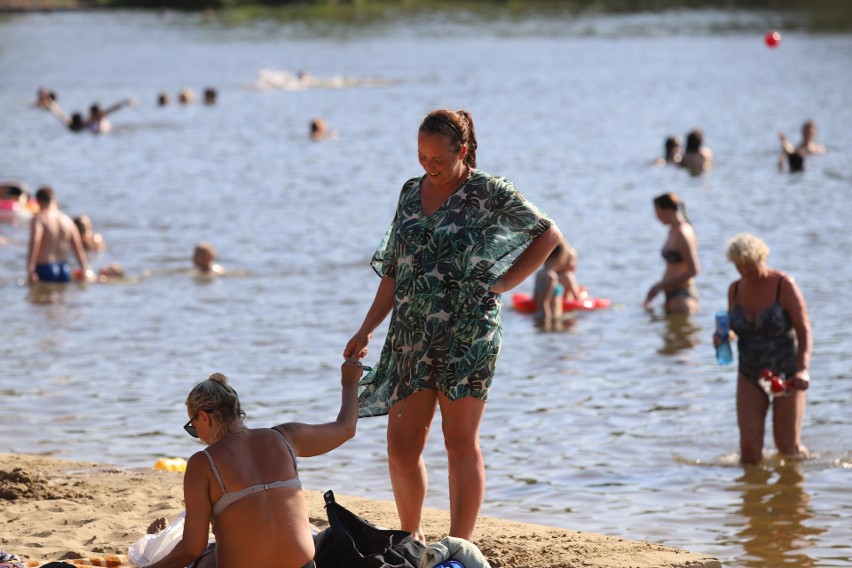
(623, 424)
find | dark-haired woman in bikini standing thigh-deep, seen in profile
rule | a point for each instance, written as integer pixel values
(681, 256)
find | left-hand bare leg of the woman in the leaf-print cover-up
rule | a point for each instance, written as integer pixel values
(408, 429)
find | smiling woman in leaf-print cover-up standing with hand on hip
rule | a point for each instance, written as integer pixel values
(458, 240)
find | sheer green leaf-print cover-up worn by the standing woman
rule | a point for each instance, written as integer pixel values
(444, 331)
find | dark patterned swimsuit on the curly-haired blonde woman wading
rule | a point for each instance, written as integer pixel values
(768, 342)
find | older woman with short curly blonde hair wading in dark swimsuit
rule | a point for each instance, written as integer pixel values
(770, 320)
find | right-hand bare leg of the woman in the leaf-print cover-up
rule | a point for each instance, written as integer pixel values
(460, 421)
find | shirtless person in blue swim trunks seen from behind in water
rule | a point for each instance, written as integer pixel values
(52, 233)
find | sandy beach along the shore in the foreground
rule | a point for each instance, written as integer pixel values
(53, 510)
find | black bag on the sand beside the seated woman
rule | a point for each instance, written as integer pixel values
(352, 542)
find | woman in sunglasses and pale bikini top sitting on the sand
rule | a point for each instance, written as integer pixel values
(246, 482)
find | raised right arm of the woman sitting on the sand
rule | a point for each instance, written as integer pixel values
(315, 439)
